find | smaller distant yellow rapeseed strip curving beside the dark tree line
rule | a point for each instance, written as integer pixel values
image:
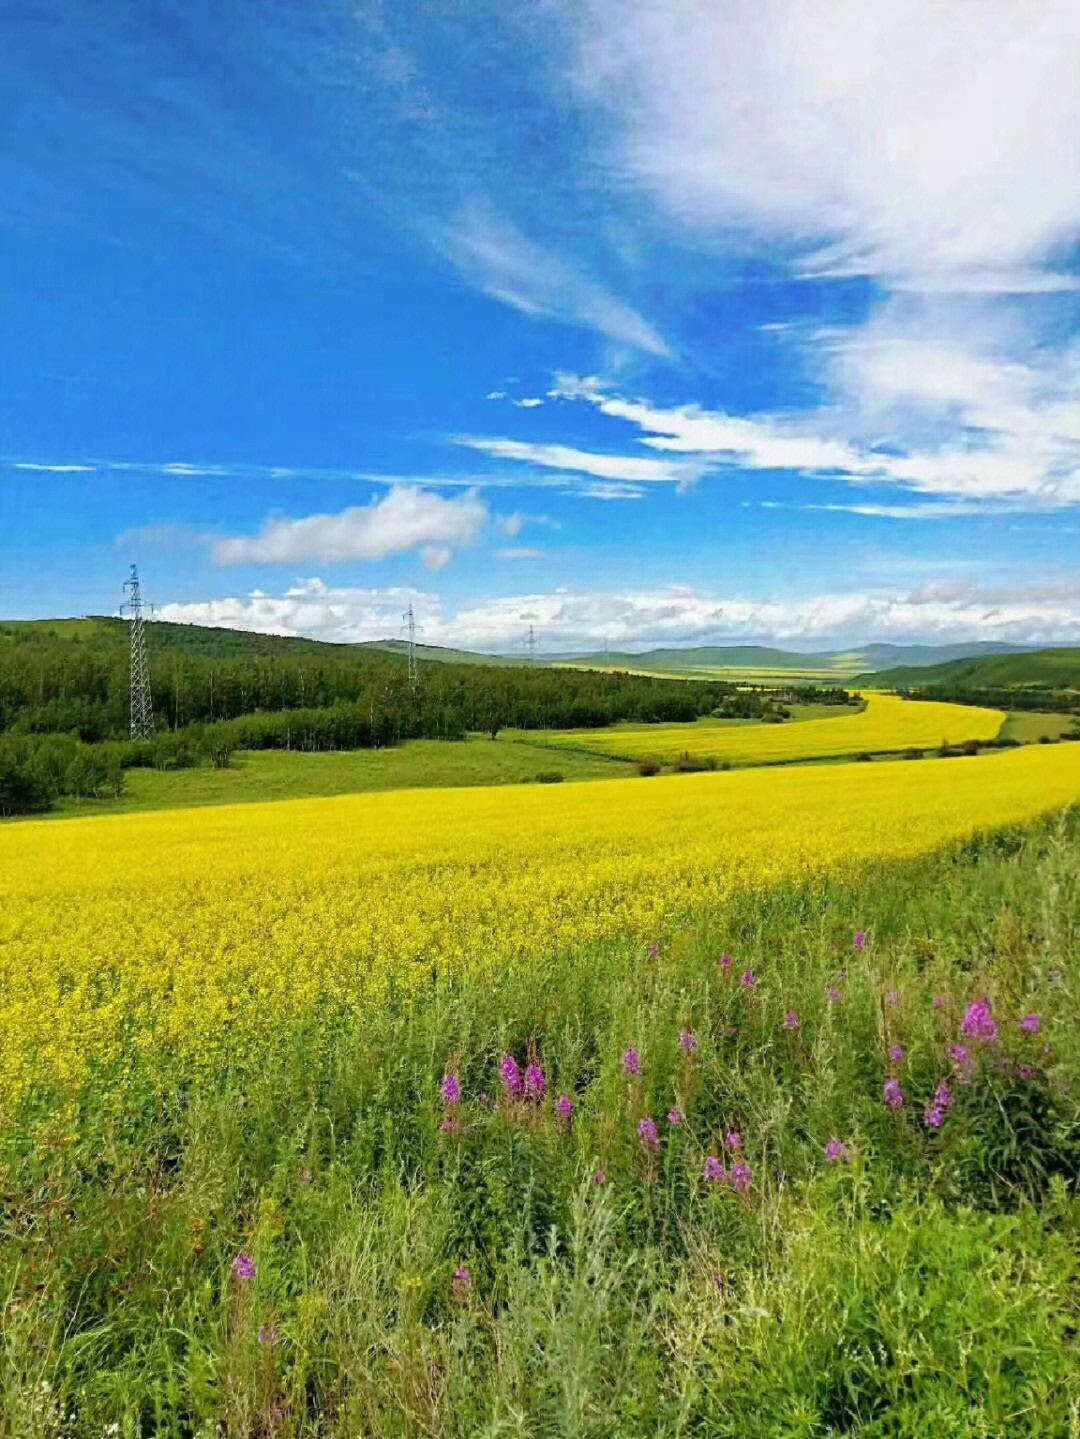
(888, 725)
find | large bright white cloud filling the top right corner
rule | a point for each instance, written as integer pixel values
(908, 140)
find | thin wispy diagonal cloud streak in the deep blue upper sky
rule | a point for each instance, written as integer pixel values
(495, 257)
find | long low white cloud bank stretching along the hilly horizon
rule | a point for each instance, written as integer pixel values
(1040, 612)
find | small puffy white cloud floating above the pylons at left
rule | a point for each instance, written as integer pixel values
(406, 519)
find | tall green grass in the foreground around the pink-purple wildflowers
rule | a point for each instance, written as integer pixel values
(431, 1268)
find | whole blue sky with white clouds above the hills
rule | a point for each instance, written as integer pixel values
(655, 323)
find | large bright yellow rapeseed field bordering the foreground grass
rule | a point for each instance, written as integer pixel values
(195, 930)
